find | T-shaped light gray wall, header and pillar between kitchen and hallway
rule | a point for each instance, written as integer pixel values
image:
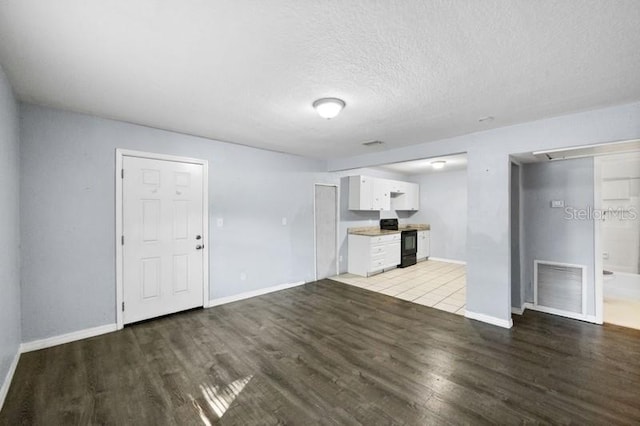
(488, 156)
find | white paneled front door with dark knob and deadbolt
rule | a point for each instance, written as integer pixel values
(162, 222)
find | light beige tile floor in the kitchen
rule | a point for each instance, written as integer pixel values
(440, 285)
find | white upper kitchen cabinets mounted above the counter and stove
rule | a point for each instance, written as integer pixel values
(368, 193)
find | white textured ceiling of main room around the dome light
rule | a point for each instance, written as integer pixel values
(248, 71)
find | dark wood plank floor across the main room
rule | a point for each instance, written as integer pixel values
(329, 353)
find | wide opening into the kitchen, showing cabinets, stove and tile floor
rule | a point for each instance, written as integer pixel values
(425, 197)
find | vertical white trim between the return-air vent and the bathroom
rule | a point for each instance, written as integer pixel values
(597, 242)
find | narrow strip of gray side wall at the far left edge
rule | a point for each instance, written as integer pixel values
(9, 227)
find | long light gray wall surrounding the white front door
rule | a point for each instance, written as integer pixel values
(68, 231)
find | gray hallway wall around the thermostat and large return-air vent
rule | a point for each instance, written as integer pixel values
(549, 235)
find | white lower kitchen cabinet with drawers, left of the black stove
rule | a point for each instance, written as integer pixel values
(368, 255)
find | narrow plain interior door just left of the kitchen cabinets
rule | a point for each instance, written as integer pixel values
(326, 230)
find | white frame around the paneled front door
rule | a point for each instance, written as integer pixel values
(120, 154)
